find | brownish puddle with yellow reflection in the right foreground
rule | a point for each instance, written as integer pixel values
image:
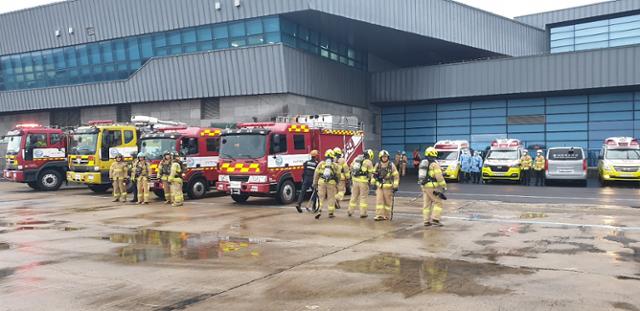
(411, 277)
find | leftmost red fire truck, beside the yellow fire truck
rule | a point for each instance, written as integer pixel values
(36, 155)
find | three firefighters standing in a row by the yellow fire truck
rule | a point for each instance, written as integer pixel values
(139, 172)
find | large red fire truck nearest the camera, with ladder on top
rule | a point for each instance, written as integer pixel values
(265, 159)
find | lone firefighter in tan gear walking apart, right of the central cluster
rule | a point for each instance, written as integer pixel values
(433, 187)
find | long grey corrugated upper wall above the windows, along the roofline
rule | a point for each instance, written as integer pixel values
(34, 29)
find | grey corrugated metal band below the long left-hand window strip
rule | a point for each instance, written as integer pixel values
(236, 72)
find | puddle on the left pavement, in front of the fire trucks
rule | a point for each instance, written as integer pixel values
(153, 245)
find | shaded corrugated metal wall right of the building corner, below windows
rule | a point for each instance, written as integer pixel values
(313, 76)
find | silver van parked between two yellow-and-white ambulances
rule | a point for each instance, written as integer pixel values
(566, 164)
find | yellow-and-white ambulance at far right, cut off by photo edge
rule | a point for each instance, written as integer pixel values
(619, 160)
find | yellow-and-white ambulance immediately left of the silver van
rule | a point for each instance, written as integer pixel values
(503, 160)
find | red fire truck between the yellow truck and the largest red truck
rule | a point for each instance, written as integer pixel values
(200, 147)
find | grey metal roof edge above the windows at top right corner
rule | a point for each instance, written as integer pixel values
(610, 7)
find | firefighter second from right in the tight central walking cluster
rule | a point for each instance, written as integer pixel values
(361, 170)
